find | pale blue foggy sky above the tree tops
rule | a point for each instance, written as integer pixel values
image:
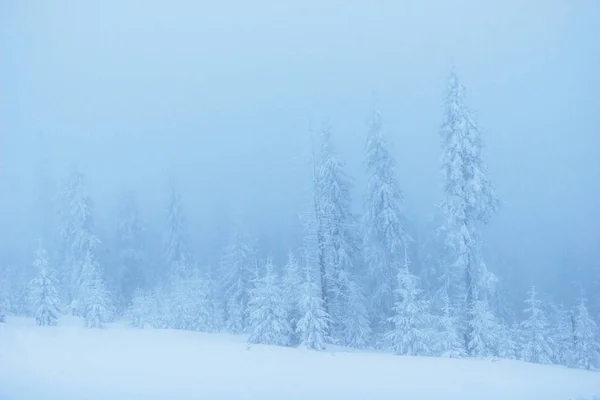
(222, 96)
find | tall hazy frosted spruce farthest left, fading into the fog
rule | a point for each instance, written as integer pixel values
(77, 239)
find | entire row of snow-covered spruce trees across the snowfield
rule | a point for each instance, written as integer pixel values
(352, 281)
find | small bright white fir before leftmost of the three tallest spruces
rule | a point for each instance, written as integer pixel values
(312, 328)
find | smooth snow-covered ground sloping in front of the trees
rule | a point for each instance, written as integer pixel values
(71, 362)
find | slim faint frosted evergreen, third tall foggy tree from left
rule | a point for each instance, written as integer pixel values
(176, 242)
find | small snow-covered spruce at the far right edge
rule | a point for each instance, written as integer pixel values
(586, 348)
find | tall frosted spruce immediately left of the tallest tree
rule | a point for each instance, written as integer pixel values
(383, 224)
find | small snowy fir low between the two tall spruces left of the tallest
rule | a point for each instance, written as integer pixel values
(355, 324)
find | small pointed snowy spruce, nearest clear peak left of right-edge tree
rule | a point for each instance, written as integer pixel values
(535, 335)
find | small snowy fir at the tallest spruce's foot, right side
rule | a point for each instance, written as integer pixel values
(484, 331)
